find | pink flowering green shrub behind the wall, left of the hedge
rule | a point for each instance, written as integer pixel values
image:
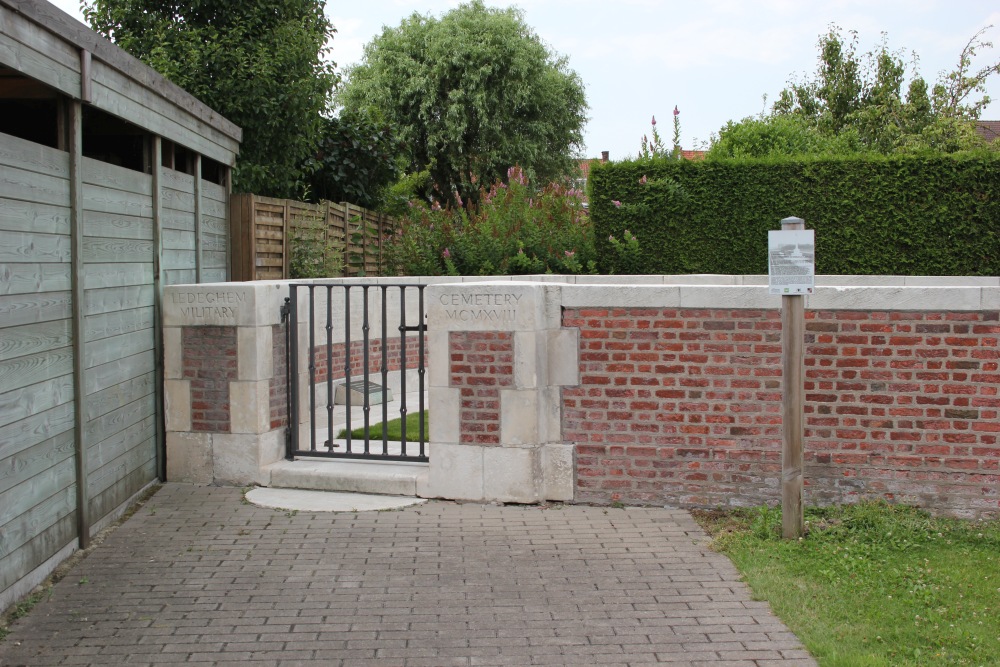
(515, 229)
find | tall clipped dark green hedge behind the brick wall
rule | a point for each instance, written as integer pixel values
(872, 215)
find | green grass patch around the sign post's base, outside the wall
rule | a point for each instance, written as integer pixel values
(874, 584)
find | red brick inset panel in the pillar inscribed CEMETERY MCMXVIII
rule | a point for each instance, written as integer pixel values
(481, 363)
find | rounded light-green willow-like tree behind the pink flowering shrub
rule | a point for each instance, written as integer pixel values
(471, 94)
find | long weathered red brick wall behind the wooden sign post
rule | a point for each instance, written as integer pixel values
(684, 407)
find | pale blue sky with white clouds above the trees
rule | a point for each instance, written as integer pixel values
(712, 59)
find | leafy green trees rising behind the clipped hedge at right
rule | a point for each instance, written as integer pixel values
(856, 103)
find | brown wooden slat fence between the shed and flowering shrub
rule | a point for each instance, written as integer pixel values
(261, 227)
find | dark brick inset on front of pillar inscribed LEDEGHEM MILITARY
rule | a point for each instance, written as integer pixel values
(208, 358)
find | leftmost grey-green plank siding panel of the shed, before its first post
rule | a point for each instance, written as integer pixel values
(37, 501)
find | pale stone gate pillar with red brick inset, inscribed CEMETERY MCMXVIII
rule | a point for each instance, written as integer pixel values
(498, 359)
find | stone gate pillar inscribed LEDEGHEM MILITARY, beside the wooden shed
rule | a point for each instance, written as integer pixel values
(224, 381)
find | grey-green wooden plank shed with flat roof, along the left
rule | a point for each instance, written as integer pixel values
(113, 183)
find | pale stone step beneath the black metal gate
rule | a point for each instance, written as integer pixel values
(387, 478)
